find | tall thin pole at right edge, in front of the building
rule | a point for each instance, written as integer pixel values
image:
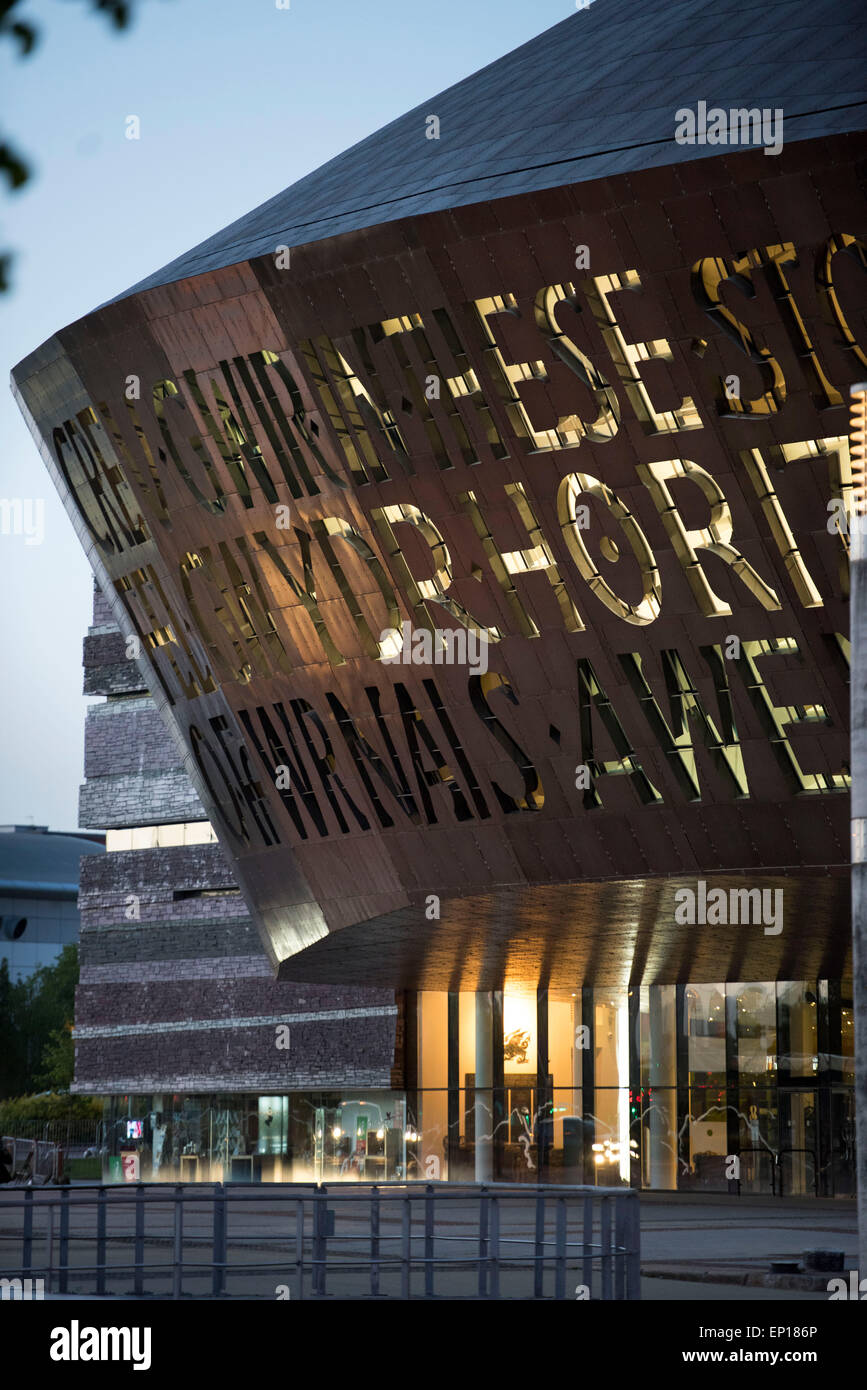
(858, 633)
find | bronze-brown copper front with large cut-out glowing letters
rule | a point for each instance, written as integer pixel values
(438, 423)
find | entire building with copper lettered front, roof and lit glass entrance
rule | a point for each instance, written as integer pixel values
(476, 515)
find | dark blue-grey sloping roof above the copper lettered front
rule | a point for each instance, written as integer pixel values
(590, 98)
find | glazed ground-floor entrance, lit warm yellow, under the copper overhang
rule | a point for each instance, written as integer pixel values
(743, 1088)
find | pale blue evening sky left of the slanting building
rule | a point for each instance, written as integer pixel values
(237, 99)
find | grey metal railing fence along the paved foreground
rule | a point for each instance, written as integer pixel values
(304, 1242)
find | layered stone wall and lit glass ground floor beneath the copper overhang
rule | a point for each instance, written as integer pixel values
(215, 1070)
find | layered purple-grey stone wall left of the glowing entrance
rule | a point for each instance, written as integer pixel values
(176, 990)
